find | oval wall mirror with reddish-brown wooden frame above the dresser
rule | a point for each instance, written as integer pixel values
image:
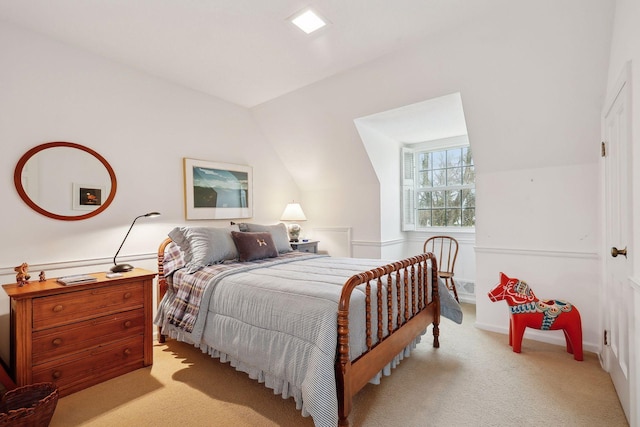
(65, 181)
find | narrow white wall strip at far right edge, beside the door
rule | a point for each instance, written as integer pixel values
(625, 47)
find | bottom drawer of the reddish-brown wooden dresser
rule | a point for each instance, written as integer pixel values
(92, 365)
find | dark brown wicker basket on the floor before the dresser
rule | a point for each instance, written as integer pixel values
(30, 405)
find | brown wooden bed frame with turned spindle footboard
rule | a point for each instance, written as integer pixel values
(351, 376)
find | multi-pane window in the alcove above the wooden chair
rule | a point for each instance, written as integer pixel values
(438, 188)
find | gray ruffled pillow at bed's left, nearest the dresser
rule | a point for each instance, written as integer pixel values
(204, 245)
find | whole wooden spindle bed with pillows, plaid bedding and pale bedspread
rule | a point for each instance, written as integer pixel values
(308, 326)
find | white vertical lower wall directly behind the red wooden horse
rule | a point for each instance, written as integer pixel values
(544, 232)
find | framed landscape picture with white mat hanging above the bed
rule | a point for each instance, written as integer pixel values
(215, 190)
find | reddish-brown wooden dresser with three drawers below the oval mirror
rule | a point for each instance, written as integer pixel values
(80, 335)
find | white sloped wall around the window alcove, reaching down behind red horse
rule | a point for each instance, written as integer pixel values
(532, 80)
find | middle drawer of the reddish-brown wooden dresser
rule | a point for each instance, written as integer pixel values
(58, 342)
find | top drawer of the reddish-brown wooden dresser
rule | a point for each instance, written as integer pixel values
(85, 304)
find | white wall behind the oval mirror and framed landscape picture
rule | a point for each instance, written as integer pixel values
(142, 125)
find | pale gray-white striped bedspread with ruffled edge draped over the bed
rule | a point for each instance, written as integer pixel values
(277, 322)
